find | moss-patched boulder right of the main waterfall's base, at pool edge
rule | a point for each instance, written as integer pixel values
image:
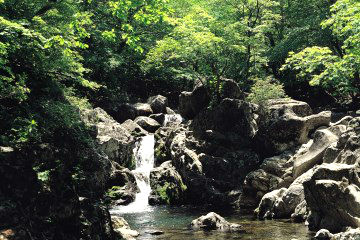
(167, 185)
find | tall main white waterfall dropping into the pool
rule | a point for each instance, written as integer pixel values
(144, 157)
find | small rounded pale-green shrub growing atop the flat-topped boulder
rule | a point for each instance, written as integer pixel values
(265, 89)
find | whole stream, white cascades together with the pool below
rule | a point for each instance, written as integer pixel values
(174, 221)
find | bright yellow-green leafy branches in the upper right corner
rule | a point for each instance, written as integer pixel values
(336, 70)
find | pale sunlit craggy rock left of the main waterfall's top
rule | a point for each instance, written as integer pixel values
(111, 137)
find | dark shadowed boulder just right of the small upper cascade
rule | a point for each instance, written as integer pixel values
(191, 103)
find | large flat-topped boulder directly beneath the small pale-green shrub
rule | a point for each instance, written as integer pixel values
(287, 123)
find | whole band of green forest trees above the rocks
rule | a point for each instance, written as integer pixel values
(58, 56)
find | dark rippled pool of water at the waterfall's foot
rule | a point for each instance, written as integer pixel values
(174, 222)
